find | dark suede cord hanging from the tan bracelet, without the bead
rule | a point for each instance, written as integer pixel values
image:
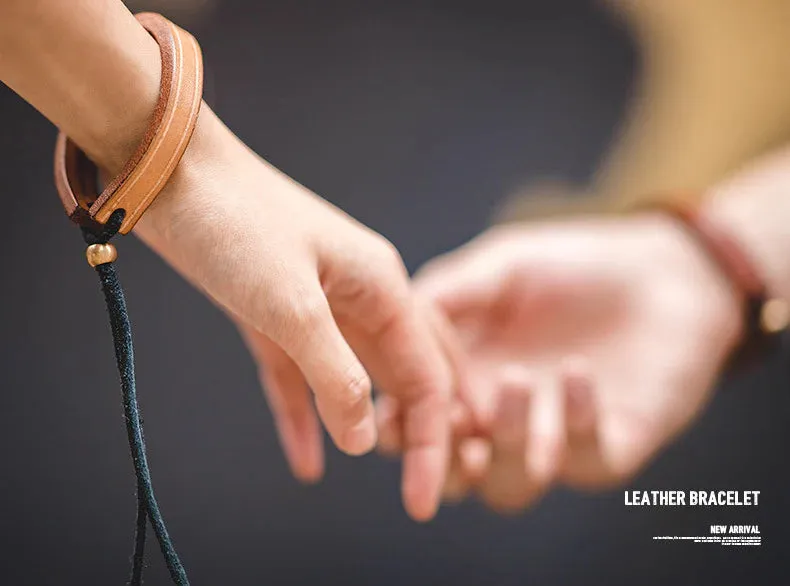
(147, 506)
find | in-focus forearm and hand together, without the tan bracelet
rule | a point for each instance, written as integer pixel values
(323, 302)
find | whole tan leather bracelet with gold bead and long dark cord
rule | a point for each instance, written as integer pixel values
(116, 209)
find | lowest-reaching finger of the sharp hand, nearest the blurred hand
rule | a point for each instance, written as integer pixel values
(396, 342)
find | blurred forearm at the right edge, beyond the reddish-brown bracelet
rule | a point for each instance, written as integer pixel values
(755, 206)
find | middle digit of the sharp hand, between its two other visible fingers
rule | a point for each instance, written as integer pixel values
(306, 330)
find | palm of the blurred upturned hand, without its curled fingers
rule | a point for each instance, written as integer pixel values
(636, 308)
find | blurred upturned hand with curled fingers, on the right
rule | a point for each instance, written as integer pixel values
(591, 344)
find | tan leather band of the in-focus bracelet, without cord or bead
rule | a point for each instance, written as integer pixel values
(162, 146)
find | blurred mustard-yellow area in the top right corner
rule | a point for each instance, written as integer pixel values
(713, 93)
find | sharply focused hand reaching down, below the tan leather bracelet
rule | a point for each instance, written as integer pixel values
(316, 295)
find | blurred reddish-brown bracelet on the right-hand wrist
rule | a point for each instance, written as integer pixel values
(766, 317)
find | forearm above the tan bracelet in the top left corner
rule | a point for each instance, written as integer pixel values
(87, 66)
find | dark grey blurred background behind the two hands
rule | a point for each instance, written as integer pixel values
(417, 118)
